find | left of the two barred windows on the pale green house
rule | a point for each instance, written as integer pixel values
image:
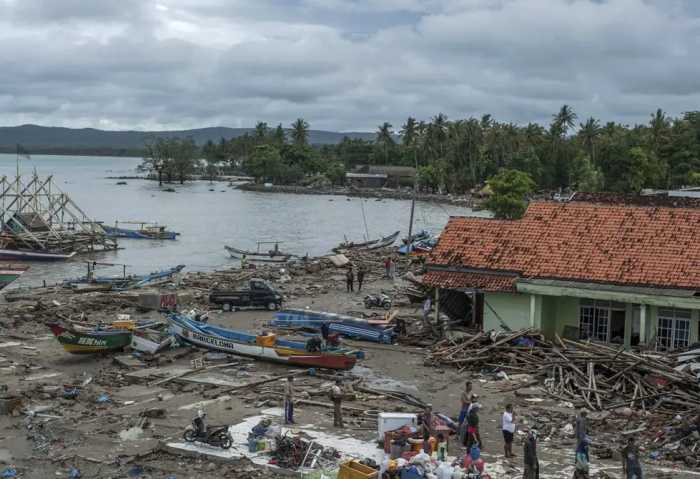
(595, 318)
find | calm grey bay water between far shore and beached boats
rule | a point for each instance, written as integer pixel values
(207, 220)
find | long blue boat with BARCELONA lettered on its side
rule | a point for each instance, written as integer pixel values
(267, 348)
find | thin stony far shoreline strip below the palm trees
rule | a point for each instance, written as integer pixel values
(379, 193)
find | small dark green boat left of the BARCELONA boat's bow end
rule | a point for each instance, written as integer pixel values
(90, 341)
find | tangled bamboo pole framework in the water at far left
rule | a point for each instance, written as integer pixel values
(38, 216)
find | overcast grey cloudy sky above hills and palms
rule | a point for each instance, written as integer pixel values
(342, 64)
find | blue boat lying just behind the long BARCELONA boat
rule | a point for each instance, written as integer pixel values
(378, 331)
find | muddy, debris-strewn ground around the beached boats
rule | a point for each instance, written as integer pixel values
(117, 425)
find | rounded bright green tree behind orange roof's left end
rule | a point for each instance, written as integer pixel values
(510, 189)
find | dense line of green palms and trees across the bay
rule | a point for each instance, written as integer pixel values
(456, 156)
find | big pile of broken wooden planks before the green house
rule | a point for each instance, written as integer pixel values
(593, 375)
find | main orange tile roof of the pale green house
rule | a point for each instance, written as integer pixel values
(626, 245)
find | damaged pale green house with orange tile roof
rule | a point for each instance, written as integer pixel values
(614, 273)
